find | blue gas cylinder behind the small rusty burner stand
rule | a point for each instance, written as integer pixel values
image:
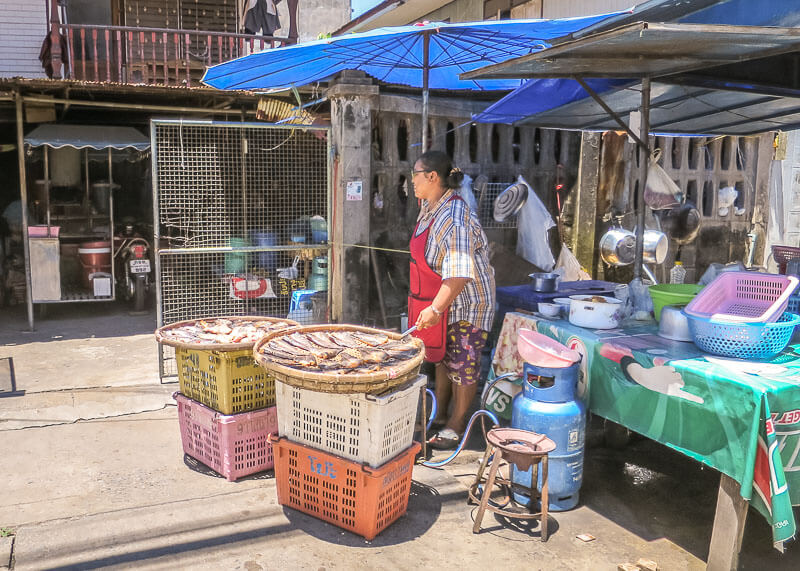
(548, 405)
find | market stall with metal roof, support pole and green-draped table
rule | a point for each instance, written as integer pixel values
(682, 79)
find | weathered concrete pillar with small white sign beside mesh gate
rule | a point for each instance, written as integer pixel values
(352, 98)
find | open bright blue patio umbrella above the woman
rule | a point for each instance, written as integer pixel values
(427, 55)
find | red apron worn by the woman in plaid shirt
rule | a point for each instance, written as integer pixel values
(424, 284)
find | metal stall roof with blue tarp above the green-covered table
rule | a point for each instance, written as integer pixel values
(690, 92)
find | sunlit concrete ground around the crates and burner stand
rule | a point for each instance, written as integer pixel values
(94, 477)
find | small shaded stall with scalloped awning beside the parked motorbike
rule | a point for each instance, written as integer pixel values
(71, 253)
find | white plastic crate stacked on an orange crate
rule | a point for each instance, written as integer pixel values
(347, 458)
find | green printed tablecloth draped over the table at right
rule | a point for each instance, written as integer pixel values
(739, 417)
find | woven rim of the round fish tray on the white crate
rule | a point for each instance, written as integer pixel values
(326, 382)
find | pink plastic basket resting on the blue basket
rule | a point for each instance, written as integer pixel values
(743, 297)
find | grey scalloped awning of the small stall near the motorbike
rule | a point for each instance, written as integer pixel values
(87, 137)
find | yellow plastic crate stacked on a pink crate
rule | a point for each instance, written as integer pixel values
(226, 409)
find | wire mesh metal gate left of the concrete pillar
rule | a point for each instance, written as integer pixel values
(241, 221)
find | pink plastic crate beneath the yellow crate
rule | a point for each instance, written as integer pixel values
(233, 445)
